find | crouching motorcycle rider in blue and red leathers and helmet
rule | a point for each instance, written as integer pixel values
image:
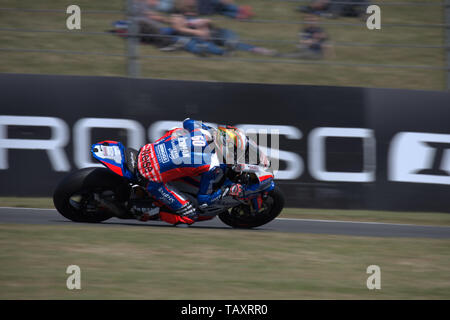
(194, 150)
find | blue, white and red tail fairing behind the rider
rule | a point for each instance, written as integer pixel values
(112, 155)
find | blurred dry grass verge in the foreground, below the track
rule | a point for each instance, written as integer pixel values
(172, 263)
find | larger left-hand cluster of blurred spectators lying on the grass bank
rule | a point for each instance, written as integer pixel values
(180, 25)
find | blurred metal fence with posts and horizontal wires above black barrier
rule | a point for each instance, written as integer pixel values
(135, 59)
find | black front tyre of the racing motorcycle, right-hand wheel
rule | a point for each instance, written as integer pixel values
(240, 217)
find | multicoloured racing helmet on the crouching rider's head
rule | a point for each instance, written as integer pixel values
(231, 144)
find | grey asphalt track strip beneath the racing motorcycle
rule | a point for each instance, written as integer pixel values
(329, 227)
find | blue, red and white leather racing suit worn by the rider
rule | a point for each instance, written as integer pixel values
(181, 153)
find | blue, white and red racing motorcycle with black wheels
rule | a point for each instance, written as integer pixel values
(97, 194)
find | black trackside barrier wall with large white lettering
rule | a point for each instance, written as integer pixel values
(339, 147)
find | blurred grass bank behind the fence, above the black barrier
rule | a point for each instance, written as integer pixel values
(196, 68)
